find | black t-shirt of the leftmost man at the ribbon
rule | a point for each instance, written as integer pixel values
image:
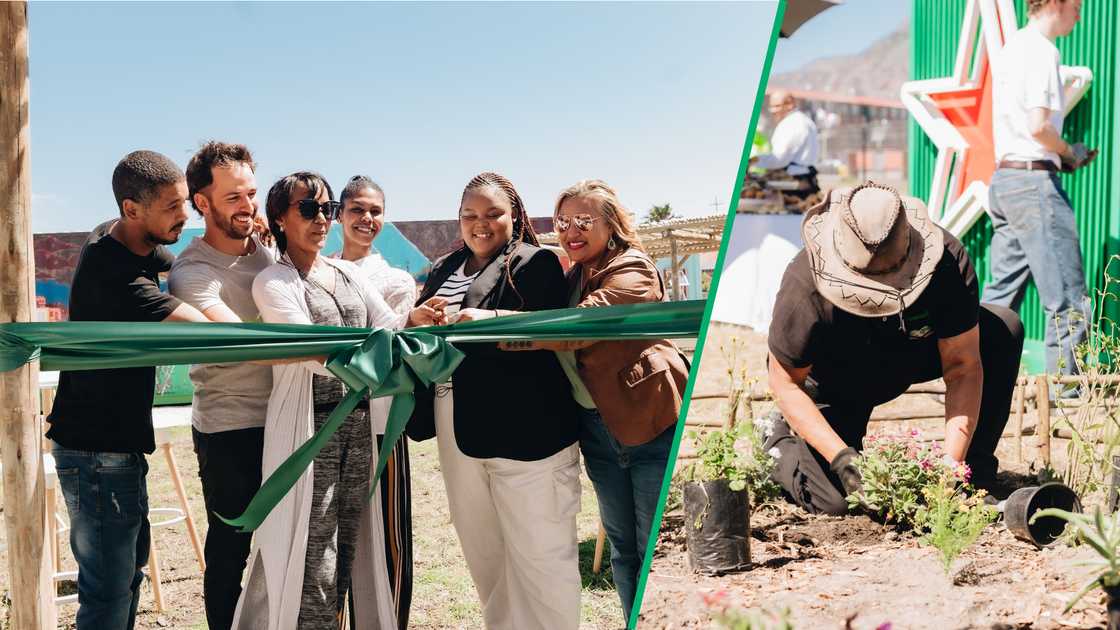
(110, 411)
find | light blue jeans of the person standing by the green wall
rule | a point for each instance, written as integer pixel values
(1035, 235)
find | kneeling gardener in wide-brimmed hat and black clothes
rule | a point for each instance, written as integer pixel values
(882, 299)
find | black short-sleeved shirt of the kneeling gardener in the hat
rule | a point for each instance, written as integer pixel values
(872, 360)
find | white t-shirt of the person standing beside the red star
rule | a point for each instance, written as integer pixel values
(1025, 77)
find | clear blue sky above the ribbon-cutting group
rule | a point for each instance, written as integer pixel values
(656, 99)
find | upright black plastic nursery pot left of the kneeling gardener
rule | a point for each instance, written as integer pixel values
(717, 527)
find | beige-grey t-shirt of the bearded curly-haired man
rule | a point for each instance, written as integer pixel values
(228, 396)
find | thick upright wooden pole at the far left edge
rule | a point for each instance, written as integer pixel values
(30, 576)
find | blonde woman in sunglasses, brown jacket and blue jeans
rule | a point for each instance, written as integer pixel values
(629, 392)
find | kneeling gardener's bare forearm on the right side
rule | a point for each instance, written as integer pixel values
(964, 374)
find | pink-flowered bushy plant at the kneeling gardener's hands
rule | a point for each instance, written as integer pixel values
(897, 470)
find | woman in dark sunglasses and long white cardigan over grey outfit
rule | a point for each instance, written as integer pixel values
(320, 541)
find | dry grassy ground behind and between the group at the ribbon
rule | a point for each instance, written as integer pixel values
(444, 596)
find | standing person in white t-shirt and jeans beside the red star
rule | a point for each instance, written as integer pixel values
(1035, 233)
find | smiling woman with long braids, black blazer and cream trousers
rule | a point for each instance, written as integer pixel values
(506, 423)
